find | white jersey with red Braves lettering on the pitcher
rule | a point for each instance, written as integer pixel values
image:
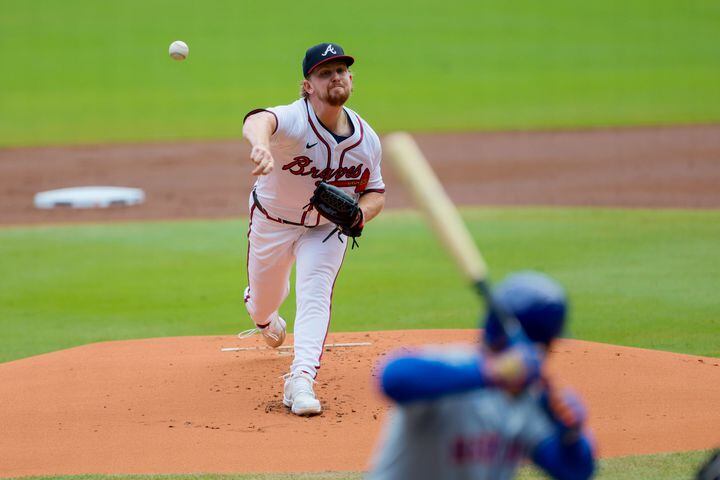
(306, 153)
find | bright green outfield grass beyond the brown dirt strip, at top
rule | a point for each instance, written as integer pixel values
(85, 71)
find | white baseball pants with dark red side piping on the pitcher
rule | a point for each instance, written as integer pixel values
(273, 247)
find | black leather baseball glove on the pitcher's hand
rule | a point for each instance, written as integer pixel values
(340, 208)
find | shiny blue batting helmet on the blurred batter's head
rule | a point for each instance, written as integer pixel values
(538, 302)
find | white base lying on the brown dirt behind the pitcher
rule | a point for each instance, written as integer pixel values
(89, 197)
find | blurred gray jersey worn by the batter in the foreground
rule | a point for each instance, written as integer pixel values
(481, 435)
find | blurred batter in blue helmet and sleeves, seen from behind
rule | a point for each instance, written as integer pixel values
(470, 415)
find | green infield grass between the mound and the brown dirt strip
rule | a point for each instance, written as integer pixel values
(636, 277)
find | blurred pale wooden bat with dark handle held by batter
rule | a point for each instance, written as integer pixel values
(420, 180)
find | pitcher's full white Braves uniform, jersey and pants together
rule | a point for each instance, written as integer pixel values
(286, 230)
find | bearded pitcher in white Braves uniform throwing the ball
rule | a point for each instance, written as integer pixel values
(315, 142)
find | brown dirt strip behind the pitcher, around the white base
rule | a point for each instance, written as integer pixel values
(638, 167)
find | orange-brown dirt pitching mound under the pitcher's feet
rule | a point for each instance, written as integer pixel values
(181, 405)
